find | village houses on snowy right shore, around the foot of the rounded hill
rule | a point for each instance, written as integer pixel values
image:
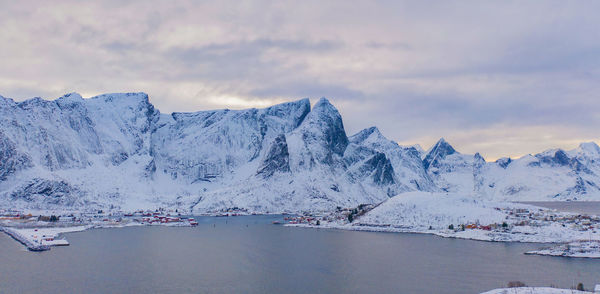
(532, 224)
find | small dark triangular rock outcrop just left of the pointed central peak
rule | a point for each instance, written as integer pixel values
(277, 158)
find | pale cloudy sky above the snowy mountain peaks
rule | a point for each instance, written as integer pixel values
(503, 78)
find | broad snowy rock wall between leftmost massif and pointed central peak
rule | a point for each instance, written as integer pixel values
(205, 145)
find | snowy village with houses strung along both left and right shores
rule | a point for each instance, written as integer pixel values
(518, 224)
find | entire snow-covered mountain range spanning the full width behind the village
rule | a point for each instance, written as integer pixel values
(117, 150)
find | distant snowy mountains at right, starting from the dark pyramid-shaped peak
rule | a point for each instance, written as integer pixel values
(551, 175)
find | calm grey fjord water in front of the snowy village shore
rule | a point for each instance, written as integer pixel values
(249, 255)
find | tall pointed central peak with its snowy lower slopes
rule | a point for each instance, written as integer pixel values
(307, 169)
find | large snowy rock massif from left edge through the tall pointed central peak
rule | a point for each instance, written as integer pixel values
(118, 149)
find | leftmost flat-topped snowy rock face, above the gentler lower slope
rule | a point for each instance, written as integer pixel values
(67, 132)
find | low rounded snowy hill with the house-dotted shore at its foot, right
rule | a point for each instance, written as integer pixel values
(454, 215)
